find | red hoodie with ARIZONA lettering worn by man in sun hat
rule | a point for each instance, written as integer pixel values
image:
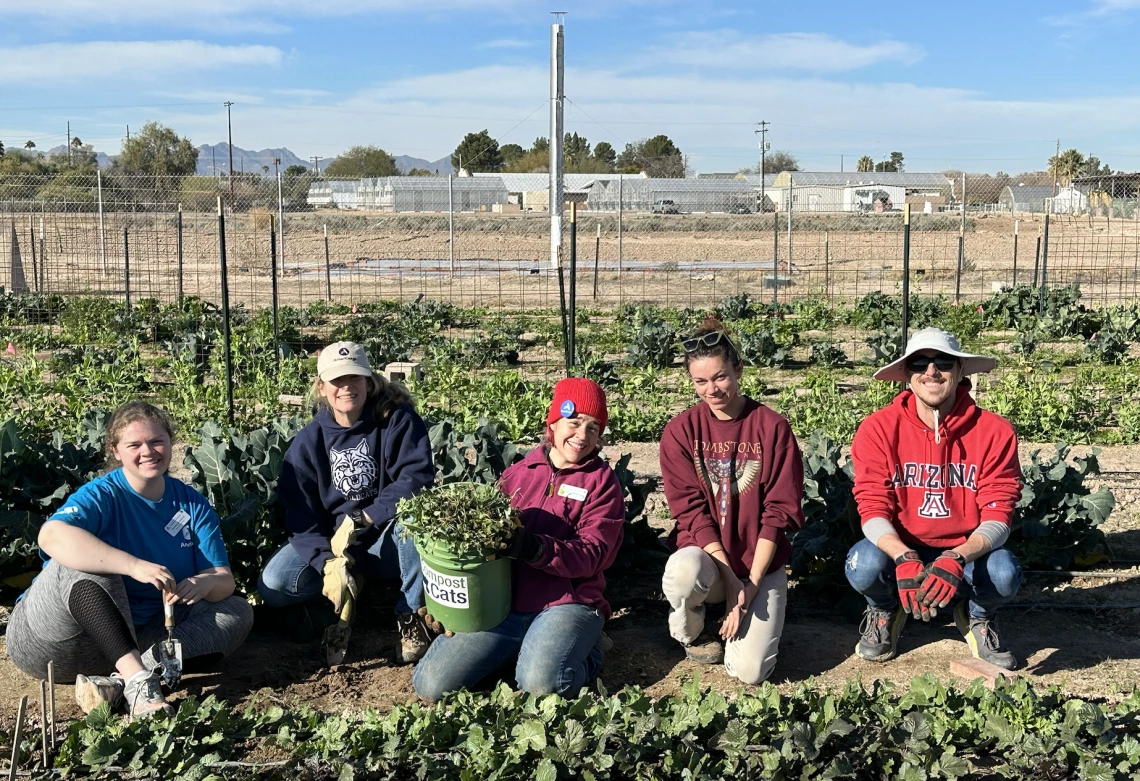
(937, 494)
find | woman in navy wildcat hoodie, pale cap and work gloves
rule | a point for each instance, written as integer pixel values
(364, 451)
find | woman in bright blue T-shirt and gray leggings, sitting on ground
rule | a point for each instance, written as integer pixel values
(116, 552)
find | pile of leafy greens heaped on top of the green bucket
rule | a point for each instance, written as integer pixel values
(470, 519)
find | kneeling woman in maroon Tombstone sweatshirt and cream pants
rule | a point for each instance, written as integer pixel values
(735, 479)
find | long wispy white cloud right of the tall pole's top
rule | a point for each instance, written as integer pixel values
(794, 52)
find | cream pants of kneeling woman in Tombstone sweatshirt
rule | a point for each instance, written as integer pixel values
(693, 580)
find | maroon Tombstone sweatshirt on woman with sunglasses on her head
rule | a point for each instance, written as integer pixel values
(735, 482)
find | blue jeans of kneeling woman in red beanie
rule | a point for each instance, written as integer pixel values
(557, 652)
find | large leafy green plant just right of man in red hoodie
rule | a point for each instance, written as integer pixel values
(1058, 518)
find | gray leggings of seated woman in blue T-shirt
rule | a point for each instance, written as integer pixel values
(43, 629)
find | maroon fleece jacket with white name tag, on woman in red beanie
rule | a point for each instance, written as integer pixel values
(580, 514)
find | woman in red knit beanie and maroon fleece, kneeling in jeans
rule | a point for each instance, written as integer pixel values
(573, 516)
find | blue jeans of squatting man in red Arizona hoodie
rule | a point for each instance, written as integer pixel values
(991, 581)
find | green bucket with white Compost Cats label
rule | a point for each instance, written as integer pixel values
(465, 593)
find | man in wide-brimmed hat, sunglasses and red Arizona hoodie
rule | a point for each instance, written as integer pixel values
(937, 482)
